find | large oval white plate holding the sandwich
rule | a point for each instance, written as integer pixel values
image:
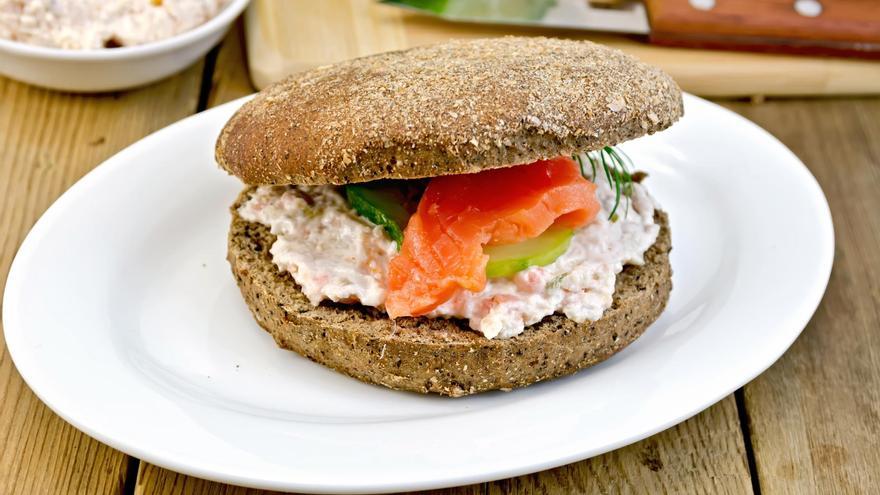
(122, 315)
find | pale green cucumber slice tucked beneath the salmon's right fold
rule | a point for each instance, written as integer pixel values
(508, 259)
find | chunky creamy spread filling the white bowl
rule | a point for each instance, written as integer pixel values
(92, 24)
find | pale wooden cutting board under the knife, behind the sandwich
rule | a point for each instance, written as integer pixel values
(286, 36)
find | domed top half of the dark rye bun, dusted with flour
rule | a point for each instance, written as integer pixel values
(461, 106)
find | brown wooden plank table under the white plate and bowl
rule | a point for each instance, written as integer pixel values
(810, 424)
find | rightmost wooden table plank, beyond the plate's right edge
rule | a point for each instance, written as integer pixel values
(815, 415)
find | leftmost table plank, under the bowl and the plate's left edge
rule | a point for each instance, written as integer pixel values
(48, 141)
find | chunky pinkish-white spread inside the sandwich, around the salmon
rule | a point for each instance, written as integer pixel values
(335, 254)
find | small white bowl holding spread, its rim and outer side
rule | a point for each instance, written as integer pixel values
(114, 68)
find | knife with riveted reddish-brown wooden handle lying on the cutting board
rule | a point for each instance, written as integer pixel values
(813, 27)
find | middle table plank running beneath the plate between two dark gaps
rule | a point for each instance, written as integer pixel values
(705, 454)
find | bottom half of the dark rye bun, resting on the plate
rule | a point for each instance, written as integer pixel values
(440, 356)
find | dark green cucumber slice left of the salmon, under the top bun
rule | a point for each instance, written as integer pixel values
(381, 203)
